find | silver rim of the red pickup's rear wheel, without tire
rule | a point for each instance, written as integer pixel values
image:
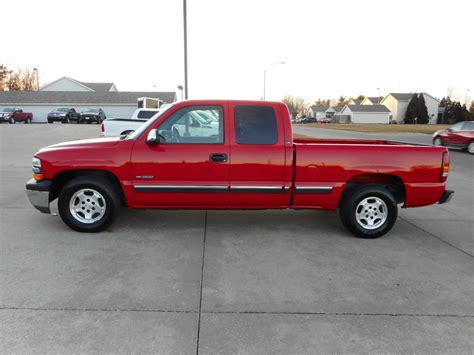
(371, 213)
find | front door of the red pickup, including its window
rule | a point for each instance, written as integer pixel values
(189, 168)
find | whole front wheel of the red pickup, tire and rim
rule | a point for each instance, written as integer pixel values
(88, 204)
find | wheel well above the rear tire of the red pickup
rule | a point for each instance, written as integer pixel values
(392, 183)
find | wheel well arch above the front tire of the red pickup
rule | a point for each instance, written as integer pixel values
(64, 177)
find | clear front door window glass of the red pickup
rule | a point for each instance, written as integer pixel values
(194, 125)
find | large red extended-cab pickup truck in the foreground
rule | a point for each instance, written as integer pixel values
(214, 154)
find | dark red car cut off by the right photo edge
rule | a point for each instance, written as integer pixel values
(460, 135)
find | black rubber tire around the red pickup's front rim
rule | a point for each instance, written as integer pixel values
(109, 192)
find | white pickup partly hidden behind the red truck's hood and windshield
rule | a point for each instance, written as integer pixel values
(118, 126)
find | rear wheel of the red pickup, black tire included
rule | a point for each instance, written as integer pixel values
(372, 194)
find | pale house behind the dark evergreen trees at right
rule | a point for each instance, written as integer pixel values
(397, 103)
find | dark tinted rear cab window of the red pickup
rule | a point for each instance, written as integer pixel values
(255, 125)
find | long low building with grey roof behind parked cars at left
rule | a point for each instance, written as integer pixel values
(67, 92)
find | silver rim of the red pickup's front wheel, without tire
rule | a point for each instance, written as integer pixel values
(87, 206)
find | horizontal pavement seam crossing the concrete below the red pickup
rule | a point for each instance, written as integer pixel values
(98, 310)
